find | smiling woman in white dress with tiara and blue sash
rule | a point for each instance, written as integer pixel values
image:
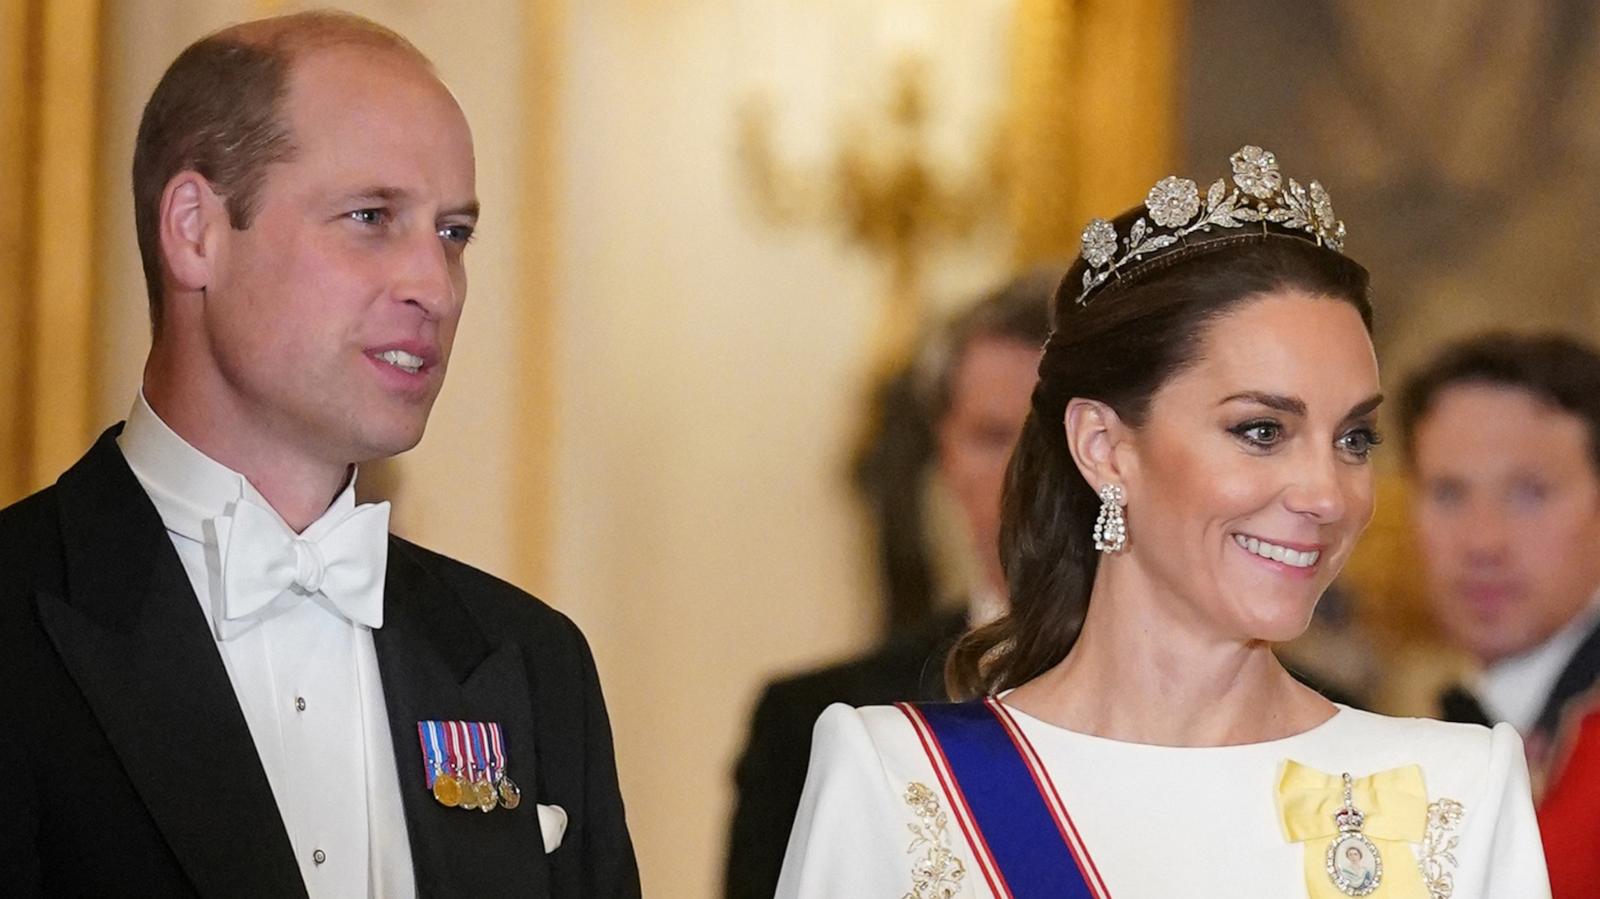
(1194, 474)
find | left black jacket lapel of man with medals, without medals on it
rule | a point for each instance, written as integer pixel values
(138, 647)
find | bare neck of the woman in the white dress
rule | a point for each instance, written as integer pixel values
(1142, 673)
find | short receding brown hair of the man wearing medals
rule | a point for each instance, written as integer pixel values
(218, 113)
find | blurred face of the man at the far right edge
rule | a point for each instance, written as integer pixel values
(1508, 514)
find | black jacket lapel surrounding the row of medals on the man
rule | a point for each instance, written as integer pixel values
(438, 665)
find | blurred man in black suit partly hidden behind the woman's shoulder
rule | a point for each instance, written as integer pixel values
(983, 377)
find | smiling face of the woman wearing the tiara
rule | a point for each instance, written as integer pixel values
(1250, 479)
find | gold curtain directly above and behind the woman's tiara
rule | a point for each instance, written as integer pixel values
(1095, 114)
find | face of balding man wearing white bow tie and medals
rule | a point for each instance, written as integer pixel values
(330, 319)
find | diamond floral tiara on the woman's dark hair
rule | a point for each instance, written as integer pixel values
(1177, 212)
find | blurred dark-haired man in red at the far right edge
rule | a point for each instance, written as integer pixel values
(1503, 442)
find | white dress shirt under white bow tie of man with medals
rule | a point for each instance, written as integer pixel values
(306, 679)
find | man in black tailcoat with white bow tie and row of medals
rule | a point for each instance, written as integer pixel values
(217, 663)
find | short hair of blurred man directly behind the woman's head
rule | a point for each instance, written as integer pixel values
(1018, 311)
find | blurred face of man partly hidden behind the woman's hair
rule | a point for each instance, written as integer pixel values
(990, 401)
